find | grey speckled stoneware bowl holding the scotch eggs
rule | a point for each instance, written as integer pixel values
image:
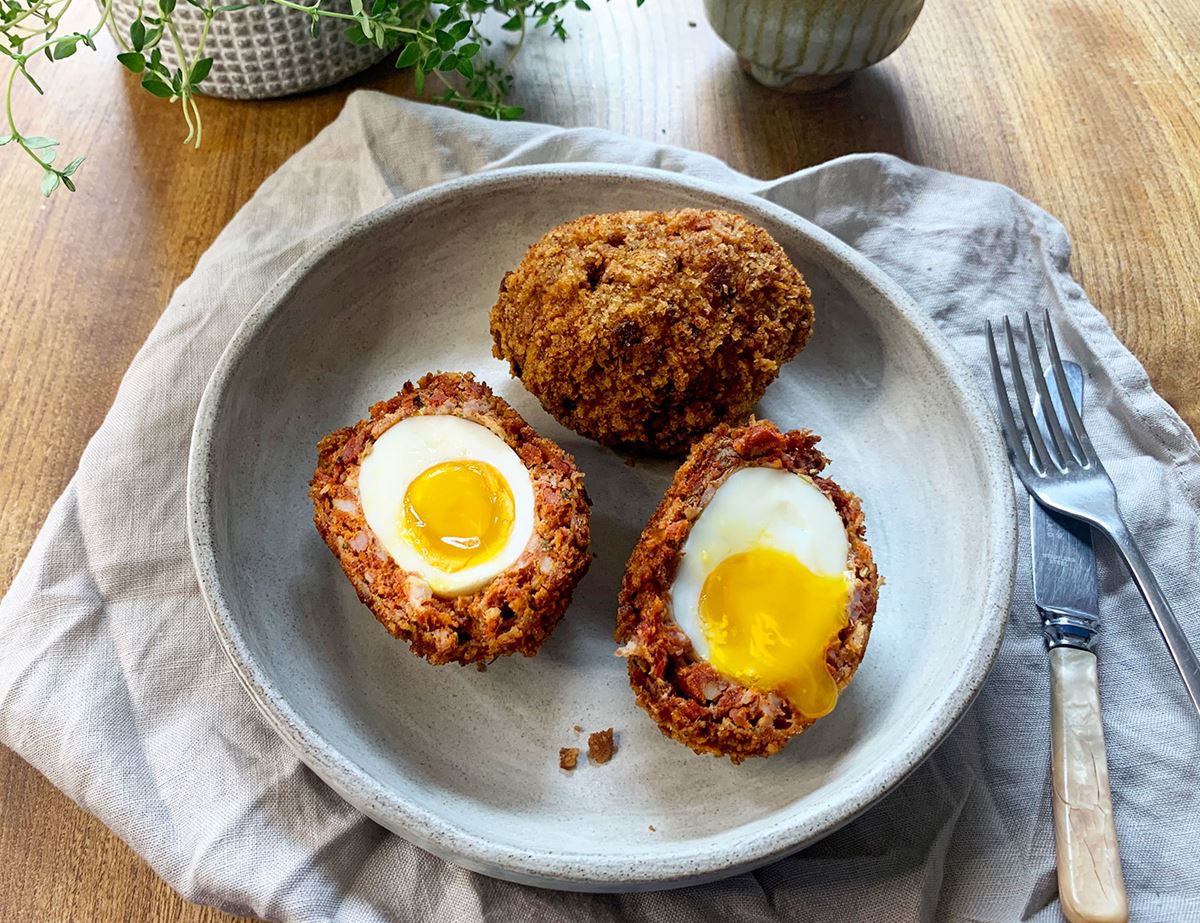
(466, 764)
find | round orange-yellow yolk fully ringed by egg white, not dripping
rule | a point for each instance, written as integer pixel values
(458, 514)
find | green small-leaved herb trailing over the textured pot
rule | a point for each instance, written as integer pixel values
(442, 43)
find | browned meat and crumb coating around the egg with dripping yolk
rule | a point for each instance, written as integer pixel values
(688, 699)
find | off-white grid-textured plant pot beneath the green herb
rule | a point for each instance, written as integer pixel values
(262, 51)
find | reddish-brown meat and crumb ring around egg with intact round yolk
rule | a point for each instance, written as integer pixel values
(519, 609)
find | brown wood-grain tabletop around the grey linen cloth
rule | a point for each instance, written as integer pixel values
(1088, 107)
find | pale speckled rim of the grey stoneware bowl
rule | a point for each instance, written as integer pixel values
(580, 871)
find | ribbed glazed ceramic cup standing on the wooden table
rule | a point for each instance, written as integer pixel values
(806, 46)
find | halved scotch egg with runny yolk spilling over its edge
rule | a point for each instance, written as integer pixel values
(747, 604)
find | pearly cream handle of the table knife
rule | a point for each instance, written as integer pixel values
(1091, 888)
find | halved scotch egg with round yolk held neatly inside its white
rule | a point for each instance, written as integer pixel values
(461, 530)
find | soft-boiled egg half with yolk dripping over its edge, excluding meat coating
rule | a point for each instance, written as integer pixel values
(764, 585)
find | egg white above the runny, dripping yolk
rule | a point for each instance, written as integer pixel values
(757, 508)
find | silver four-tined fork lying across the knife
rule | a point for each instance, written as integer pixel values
(1065, 475)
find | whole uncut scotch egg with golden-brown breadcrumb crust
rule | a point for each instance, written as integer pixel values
(644, 329)
